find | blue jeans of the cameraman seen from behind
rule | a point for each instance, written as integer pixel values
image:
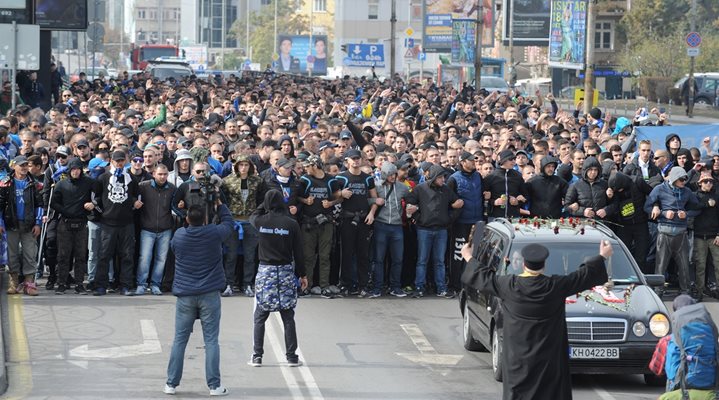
(208, 307)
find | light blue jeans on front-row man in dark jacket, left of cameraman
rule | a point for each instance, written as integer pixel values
(161, 243)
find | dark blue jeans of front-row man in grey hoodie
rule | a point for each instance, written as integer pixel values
(392, 237)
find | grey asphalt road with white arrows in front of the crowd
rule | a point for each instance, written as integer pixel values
(84, 347)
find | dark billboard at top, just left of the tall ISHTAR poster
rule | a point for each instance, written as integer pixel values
(531, 22)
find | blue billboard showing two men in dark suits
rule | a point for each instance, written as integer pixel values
(295, 55)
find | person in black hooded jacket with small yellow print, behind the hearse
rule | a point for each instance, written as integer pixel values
(631, 226)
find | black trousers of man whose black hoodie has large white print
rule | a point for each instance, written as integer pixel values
(118, 240)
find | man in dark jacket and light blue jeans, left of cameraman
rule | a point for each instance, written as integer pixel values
(157, 223)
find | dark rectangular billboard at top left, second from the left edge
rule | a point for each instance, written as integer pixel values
(61, 14)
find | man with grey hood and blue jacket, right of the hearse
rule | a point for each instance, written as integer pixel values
(670, 203)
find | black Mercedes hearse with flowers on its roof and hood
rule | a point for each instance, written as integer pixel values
(615, 336)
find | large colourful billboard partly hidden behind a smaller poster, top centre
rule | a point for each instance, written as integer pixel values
(438, 16)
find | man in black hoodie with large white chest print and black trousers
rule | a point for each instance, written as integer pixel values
(116, 195)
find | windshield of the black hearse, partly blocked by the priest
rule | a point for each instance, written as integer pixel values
(565, 258)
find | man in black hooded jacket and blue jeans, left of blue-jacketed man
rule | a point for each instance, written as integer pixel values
(434, 201)
